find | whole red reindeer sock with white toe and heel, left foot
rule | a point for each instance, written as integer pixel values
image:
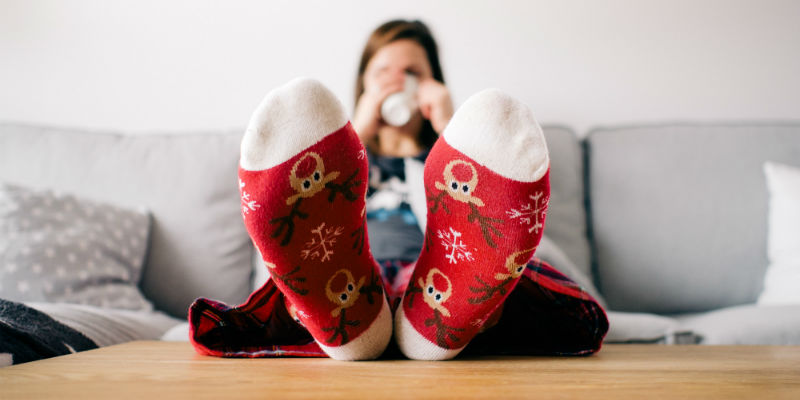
(303, 177)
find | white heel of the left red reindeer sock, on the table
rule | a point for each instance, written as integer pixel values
(370, 344)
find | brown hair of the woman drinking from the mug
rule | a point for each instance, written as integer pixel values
(396, 30)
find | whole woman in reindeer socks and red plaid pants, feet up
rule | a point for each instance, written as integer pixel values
(472, 283)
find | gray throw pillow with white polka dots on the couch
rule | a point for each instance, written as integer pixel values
(59, 248)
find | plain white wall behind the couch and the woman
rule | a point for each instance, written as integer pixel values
(144, 66)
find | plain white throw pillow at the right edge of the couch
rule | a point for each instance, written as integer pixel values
(782, 279)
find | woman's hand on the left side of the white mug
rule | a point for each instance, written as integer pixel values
(367, 116)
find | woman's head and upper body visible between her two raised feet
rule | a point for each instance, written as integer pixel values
(395, 50)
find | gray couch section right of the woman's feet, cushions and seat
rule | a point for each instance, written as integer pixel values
(675, 228)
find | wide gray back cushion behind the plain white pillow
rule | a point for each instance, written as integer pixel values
(678, 213)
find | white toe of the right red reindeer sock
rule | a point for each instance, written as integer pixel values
(500, 133)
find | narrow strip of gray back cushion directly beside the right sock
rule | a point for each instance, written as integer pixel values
(566, 217)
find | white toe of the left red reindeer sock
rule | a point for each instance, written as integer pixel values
(290, 119)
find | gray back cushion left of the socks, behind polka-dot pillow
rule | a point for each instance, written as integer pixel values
(198, 244)
